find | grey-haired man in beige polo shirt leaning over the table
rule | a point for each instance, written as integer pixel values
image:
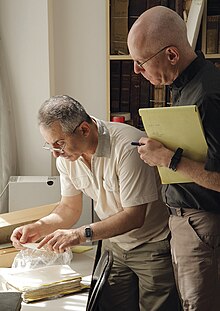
(96, 158)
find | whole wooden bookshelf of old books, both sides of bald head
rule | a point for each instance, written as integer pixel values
(126, 91)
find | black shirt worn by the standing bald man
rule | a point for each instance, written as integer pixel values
(199, 84)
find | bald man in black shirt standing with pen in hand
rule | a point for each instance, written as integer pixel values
(194, 207)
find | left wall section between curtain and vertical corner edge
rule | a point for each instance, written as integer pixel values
(24, 35)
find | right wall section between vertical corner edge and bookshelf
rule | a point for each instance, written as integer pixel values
(80, 52)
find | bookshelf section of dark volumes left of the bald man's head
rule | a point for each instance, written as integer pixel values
(127, 91)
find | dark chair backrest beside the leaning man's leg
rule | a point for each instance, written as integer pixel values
(99, 278)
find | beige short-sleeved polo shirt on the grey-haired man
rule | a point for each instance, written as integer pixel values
(118, 179)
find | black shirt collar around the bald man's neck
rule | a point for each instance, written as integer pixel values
(188, 74)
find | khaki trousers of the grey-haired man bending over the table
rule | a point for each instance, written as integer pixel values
(141, 279)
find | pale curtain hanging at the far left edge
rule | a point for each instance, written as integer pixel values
(8, 155)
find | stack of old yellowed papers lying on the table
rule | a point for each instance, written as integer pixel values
(45, 282)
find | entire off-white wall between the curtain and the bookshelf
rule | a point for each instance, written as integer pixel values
(58, 43)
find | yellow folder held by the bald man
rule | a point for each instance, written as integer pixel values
(178, 126)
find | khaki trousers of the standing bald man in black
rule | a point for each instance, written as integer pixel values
(195, 246)
